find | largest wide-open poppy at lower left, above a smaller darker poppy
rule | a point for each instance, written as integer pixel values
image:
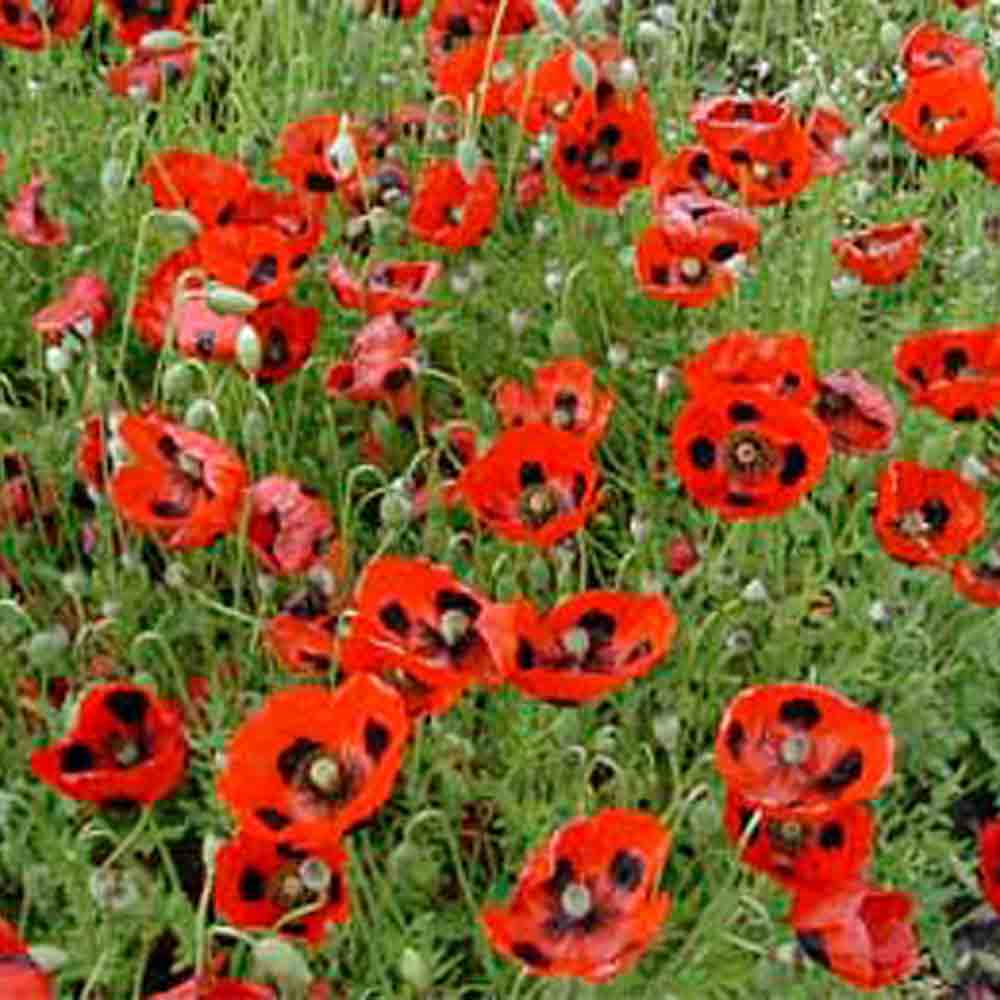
(313, 763)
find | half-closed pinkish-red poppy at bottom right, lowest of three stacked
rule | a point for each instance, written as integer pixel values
(861, 933)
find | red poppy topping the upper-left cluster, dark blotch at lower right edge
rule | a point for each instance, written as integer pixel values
(207, 186)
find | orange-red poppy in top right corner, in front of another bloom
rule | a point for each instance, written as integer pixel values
(945, 108)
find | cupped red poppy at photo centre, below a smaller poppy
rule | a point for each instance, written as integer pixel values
(536, 484)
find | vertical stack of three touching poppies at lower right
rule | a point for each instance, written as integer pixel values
(799, 762)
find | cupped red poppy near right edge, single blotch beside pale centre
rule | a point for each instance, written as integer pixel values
(923, 514)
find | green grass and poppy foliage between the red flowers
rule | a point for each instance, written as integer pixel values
(498, 773)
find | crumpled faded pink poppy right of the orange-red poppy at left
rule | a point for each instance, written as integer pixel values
(290, 526)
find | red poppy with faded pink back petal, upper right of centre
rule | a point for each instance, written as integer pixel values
(687, 255)
